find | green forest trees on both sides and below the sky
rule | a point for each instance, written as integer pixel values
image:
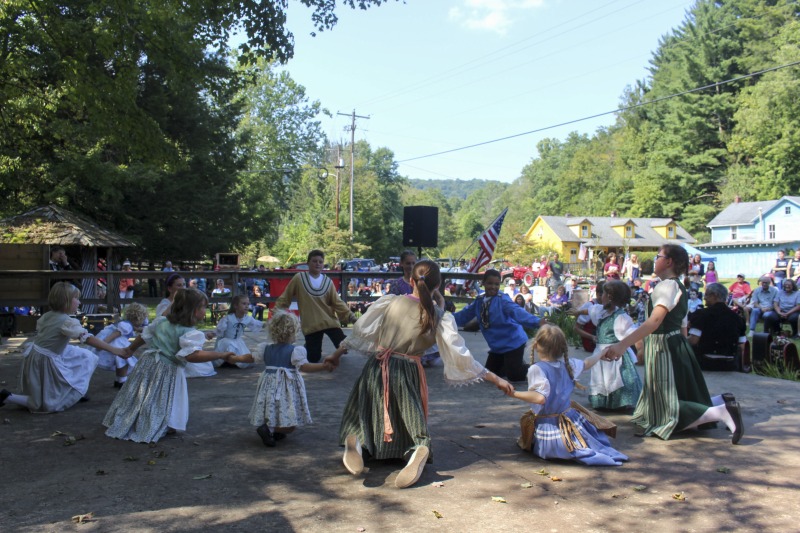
(165, 137)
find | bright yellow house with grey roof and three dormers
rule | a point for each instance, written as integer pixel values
(565, 235)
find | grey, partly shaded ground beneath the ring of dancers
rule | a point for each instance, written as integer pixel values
(219, 475)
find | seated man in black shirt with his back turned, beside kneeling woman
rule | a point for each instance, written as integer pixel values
(716, 333)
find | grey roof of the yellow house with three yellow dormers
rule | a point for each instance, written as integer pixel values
(603, 233)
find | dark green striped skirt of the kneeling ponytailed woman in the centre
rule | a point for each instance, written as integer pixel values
(364, 412)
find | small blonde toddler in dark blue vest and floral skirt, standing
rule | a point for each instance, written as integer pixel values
(280, 400)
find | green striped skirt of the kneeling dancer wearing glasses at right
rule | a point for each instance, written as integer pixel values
(675, 392)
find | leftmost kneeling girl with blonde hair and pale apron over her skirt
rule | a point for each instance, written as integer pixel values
(55, 374)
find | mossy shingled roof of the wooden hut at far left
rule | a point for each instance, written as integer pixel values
(55, 225)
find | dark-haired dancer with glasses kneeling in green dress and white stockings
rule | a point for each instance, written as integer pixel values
(675, 396)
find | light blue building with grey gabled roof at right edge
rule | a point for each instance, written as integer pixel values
(746, 236)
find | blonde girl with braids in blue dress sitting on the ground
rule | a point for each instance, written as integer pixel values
(553, 429)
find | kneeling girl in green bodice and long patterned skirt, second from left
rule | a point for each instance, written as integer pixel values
(155, 400)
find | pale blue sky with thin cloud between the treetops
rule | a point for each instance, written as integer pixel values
(434, 75)
